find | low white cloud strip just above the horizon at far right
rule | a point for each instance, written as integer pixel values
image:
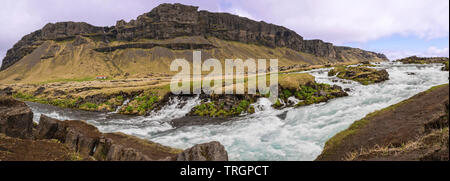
(430, 52)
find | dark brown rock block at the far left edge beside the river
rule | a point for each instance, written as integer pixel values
(16, 119)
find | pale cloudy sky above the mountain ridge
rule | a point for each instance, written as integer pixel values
(397, 28)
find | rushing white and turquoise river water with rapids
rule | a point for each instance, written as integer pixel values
(299, 134)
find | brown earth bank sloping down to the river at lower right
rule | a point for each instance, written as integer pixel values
(415, 129)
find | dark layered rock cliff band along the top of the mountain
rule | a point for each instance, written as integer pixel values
(169, 21)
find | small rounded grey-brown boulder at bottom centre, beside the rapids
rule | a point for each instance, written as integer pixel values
(212, 151)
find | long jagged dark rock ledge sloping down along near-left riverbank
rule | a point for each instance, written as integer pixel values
(86, 140)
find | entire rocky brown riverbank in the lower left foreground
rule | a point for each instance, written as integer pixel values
(53, 139)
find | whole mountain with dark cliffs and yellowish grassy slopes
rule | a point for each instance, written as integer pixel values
(75, 50)
